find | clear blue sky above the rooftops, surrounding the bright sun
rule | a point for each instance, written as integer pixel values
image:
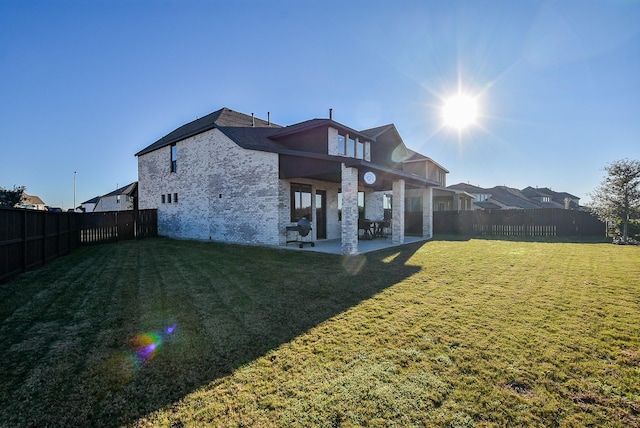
(84, 85)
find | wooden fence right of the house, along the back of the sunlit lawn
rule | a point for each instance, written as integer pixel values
(530, 222)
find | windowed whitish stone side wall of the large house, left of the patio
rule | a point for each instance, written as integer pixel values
(225, 193)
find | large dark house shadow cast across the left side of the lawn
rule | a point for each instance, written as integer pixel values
(72, 332)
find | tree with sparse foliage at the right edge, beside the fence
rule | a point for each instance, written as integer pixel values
(618, 196)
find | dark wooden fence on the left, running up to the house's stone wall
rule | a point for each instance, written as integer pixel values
(30, 238)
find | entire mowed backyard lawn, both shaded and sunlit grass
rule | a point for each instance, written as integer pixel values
(446, 333)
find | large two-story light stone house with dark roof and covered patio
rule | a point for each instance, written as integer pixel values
(231, 177)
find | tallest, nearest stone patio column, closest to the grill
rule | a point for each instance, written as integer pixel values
(349, 210)
